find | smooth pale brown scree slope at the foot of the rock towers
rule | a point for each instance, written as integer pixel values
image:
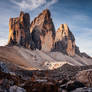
(40, 60)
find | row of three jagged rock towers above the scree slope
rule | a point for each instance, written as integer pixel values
(41, 34)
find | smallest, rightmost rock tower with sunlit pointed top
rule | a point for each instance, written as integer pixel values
(65, 41)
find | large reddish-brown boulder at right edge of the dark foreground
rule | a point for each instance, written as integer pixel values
(85, 77)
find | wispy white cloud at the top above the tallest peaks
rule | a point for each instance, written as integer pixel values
(33, 4)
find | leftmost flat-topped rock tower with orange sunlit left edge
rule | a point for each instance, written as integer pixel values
(19, 30)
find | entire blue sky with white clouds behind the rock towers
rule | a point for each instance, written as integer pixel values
(77, 14)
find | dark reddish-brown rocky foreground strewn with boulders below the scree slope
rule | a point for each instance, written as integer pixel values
(67, 78)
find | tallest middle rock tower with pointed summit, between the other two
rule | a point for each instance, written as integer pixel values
(43, 31)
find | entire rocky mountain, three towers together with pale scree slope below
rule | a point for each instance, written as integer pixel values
(41, 35)
